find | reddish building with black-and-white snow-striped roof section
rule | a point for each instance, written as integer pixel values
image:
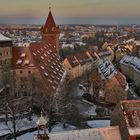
(115, 84)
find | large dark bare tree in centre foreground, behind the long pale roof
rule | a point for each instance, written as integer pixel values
(60, 108)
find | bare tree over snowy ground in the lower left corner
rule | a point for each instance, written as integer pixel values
(15, 112)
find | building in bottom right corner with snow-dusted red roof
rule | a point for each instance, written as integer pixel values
(127, 116)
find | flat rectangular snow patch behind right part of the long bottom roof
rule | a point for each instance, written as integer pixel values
(98, 123)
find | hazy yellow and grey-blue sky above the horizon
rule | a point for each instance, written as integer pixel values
(70, 12)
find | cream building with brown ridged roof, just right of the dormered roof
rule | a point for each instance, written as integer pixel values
(80, 64)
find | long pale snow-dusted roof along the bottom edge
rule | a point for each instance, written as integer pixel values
(107, 133)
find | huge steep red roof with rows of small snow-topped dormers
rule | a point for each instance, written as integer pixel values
(47, 62)
